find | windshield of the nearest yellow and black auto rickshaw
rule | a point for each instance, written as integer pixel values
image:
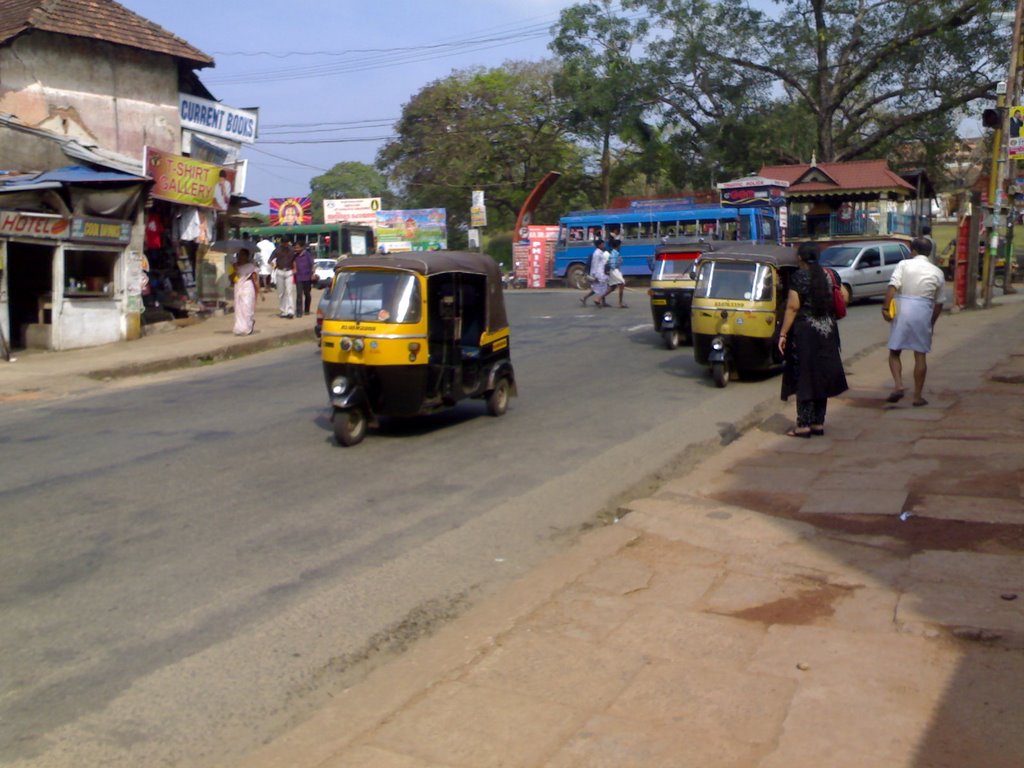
(375, 296)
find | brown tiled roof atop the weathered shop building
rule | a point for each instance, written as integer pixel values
(97, 20)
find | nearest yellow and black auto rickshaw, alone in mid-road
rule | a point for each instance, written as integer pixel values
(411, 334)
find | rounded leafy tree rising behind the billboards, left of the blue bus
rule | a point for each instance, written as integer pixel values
(499, 131)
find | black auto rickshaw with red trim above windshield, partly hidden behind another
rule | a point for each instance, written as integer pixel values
(672, 281)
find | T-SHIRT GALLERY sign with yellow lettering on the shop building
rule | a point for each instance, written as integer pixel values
(188, 182)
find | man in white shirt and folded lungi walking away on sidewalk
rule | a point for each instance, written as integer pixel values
(917, 287)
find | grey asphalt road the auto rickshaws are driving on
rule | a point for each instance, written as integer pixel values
(190, 565)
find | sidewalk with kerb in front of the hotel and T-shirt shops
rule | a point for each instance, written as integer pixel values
(45, 375)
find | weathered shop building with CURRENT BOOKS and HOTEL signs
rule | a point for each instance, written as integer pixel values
(90, 91)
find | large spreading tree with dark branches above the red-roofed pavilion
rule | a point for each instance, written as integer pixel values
(867, 75)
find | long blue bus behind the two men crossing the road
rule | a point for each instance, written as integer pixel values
(650, 224)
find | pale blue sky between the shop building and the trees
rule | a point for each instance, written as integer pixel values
(336, 72)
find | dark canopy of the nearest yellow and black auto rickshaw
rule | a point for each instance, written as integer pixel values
(431, 264)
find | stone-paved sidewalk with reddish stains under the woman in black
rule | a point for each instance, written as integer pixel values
(771, 609)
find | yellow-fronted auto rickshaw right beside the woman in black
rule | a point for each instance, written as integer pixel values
(739, 303)
